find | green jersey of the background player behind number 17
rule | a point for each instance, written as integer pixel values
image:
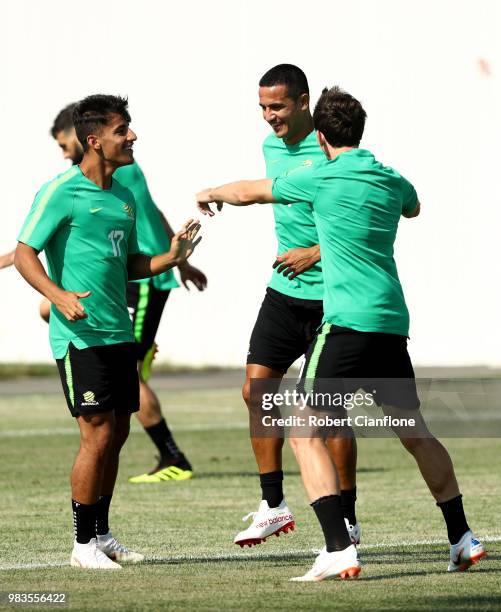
(151, 234)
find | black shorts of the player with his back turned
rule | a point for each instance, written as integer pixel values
(345, 360)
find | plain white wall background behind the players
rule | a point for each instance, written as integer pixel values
(191, 69)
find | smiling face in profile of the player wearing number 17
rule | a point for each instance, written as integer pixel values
(114, 141)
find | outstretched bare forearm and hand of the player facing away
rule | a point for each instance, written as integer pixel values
(239, 193)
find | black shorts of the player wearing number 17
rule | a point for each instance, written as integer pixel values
(100, 379)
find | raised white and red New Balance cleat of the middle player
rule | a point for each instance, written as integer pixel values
(265, 522)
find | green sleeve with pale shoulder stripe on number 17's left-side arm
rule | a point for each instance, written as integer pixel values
(51, 209)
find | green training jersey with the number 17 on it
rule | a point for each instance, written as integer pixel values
(86, 233)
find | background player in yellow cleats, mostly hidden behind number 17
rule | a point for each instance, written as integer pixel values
(146, 299)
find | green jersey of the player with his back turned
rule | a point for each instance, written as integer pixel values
(357, 203)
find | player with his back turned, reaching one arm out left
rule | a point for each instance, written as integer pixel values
(357, 204)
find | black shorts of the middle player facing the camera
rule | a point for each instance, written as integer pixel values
(284, 329)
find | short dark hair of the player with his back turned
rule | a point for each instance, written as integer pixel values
(340, 117)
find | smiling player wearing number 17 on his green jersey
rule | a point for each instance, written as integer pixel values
(85, 222)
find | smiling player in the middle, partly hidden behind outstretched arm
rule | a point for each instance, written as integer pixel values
(292, 307)
